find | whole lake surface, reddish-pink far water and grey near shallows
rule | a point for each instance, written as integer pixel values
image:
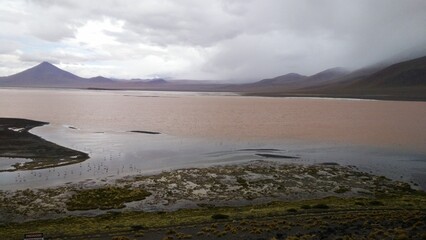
(202, 129)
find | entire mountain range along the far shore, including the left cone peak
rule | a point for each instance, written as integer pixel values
(403, 81)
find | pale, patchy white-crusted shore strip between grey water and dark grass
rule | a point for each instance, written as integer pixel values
(236, 185)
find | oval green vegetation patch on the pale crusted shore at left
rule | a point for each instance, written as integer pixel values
(105, 198)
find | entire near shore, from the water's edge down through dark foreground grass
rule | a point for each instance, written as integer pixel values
(248, 201)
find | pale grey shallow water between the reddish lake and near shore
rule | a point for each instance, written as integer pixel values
(120, 154)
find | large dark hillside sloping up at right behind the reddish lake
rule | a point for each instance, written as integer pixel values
(404, 80)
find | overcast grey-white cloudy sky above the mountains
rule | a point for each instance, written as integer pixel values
(209, 39)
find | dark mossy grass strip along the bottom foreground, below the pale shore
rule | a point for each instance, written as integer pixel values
(402, 215)
